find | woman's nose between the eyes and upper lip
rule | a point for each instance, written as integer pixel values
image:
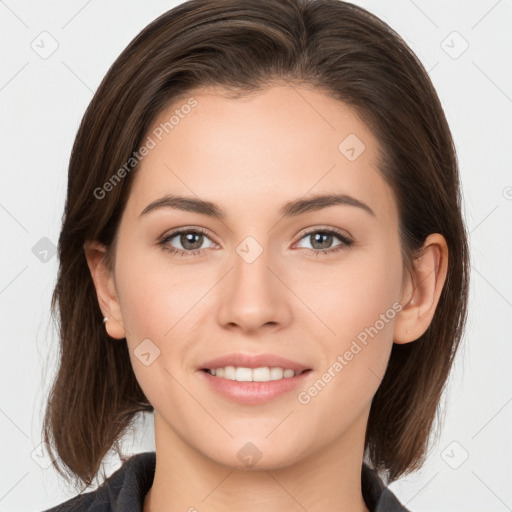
(253, 295)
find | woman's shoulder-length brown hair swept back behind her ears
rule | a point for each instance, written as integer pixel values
(244, 46)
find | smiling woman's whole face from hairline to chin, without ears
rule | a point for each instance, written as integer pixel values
(317, 283)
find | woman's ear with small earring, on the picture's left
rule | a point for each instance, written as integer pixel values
(104, 283)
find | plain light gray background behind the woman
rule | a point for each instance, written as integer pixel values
(42, 101)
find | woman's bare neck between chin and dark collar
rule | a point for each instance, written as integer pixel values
(187, 480)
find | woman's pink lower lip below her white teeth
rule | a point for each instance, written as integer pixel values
(253, 393)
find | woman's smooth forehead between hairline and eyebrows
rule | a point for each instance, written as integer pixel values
(275, 144)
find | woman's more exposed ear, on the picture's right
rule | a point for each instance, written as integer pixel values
(422, 289)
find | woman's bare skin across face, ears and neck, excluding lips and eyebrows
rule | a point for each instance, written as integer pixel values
(250, 156)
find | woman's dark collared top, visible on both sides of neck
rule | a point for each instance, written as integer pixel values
(125, 490)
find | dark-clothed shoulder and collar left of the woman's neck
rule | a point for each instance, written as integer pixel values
(123, 491)
